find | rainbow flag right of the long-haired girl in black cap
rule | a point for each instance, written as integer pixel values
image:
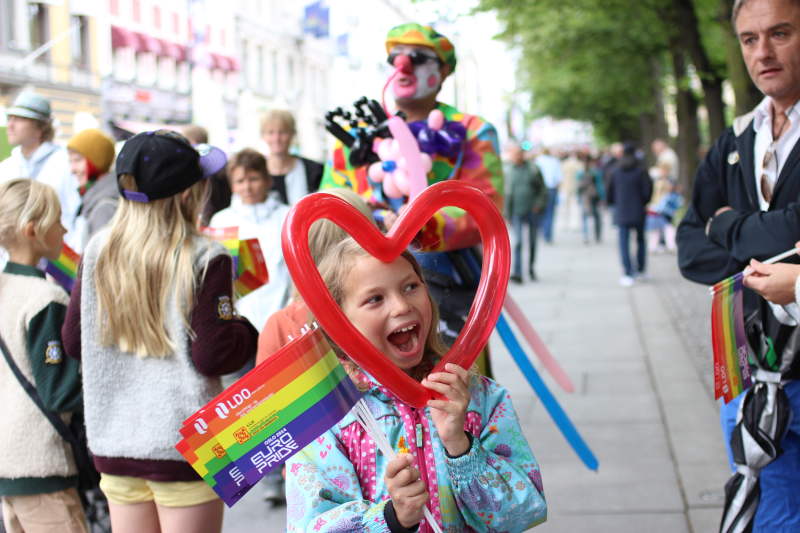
(249, 267)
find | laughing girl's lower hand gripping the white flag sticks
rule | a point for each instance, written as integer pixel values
(406, 490)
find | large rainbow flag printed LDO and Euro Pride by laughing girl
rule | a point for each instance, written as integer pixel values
(267, 416)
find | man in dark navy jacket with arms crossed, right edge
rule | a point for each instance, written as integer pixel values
(745, 205)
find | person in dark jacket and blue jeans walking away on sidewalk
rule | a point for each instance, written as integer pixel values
(629, 192)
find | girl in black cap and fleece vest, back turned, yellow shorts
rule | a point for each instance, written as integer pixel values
(151, 319)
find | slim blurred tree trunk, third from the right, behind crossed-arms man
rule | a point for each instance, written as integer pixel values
(688, 140)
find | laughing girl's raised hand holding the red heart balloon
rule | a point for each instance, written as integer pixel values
(449, 415)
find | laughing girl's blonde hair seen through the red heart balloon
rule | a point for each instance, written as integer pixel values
(334, 267)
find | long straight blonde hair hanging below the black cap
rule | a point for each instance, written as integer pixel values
(147, 260)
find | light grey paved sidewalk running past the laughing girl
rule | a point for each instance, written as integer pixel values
(640, 361)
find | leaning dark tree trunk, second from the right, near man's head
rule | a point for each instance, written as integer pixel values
(711, 80)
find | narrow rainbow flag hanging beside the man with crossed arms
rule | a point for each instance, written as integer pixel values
(731, 352)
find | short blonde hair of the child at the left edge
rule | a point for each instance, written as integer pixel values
(23, 201)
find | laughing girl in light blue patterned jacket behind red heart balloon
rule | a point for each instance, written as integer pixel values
(464, 456)
